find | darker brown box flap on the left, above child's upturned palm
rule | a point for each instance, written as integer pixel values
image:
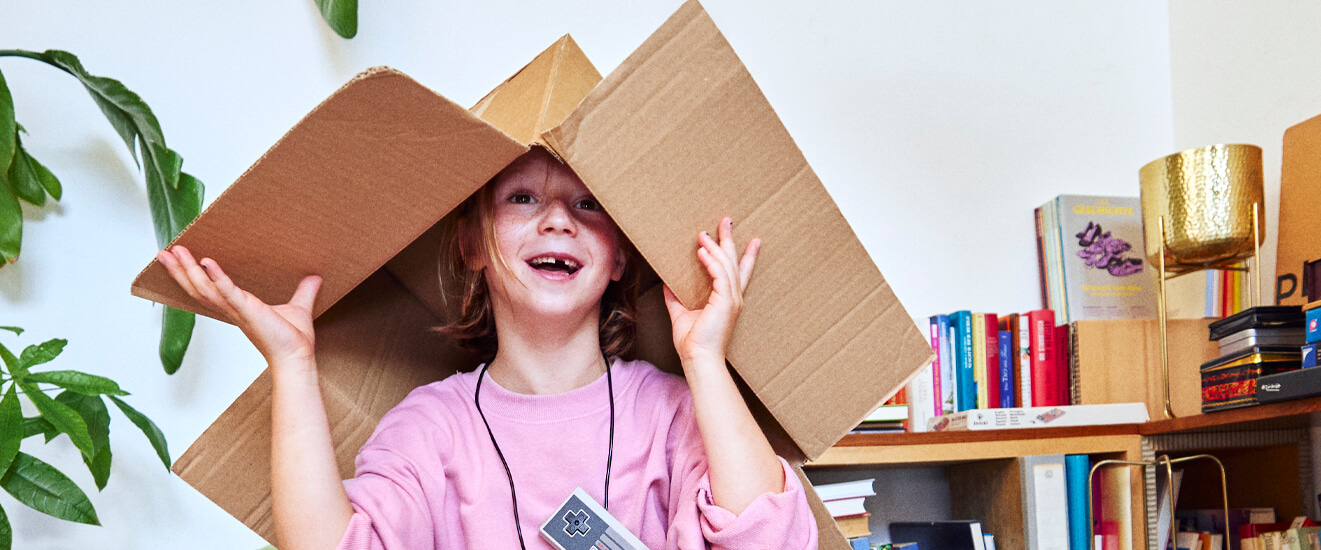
(352, 184)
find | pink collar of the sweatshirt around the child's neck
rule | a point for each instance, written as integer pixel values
(592, 399)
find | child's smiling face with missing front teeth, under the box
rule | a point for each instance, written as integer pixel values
(559, 245)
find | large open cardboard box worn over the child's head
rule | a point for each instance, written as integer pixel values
(677, 138)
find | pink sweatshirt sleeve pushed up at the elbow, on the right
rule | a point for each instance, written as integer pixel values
(772, 522)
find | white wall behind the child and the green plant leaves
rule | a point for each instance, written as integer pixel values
(937, 128)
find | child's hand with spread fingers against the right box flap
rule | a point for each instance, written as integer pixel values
(705, 334)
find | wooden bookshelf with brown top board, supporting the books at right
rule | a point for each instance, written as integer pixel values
(1265, 449)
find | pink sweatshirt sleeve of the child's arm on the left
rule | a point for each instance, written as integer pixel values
(394, 496)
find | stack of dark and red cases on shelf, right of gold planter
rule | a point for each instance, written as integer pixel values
(1254, 343)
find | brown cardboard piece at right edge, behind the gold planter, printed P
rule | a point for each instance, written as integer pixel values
(1301, 207)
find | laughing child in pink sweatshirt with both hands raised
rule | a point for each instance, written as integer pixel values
(482, 459)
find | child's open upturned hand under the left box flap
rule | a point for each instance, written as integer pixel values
(283, 334)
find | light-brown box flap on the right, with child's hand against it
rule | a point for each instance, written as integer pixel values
(680, 137)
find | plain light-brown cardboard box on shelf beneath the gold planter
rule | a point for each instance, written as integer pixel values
(1118, 362)
